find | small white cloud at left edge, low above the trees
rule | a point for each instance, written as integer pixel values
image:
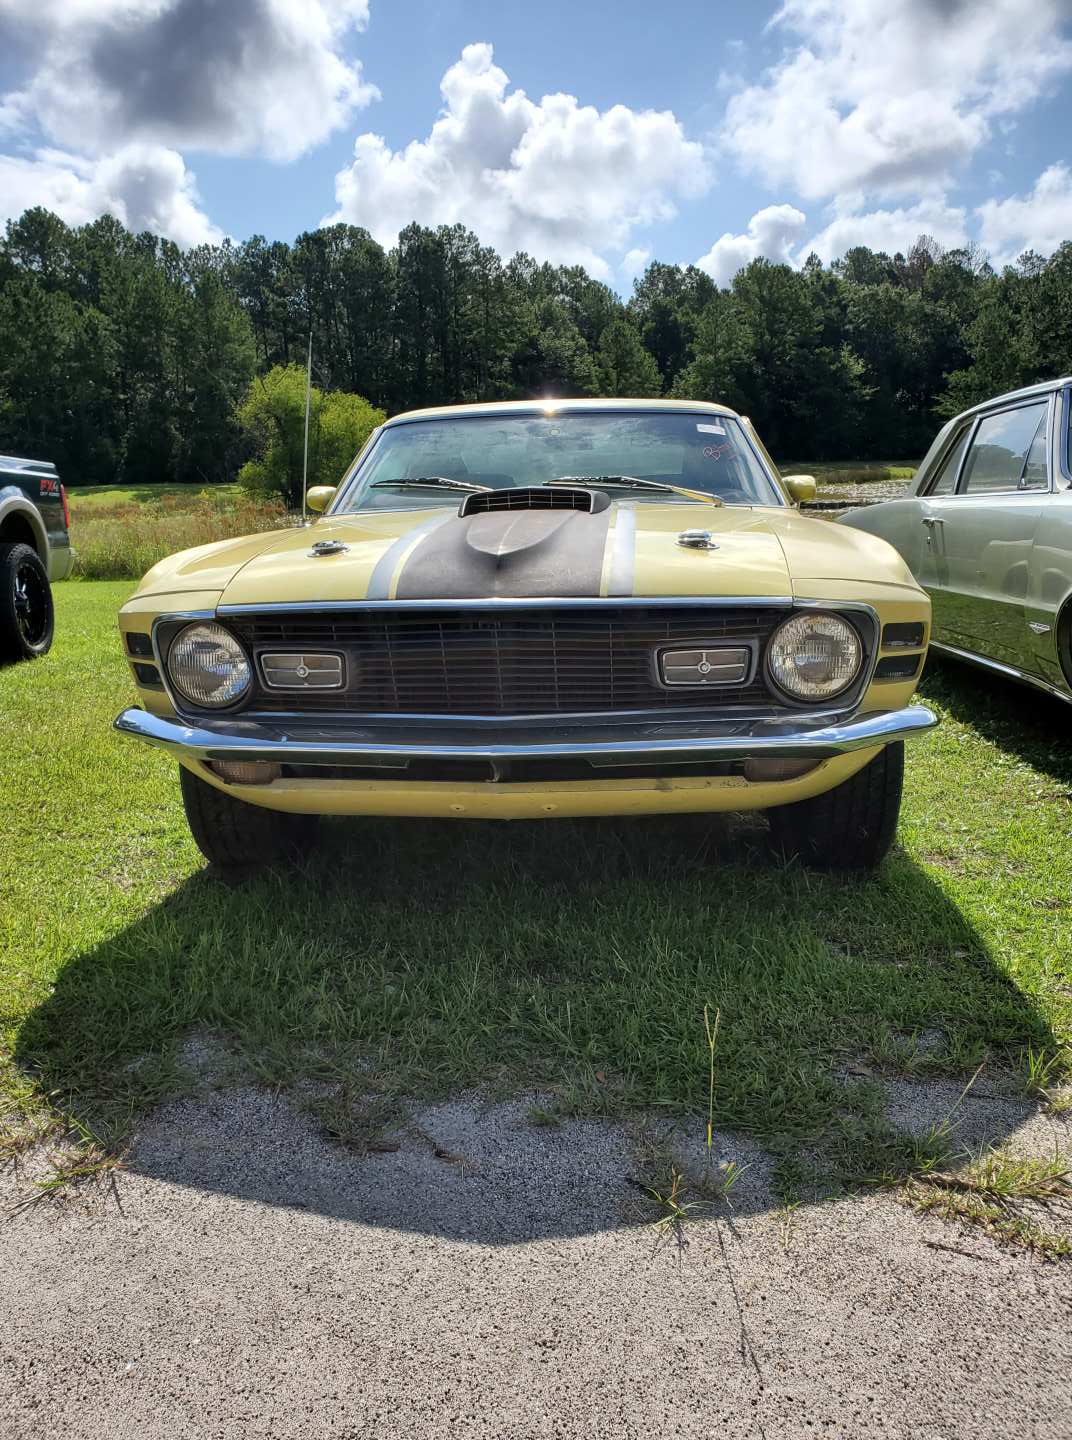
(146, 188)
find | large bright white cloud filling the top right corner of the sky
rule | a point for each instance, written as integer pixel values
(887, 99)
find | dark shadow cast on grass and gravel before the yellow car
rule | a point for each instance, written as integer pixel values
(359, 1022)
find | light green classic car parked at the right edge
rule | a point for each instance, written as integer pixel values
(986, 529)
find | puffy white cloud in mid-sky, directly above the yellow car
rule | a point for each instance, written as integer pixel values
(555, 178)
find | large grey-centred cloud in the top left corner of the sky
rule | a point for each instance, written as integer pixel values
(224, 76)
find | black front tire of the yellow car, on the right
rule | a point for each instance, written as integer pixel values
(851, 827)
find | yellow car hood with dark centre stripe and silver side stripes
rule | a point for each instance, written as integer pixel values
(632, 548)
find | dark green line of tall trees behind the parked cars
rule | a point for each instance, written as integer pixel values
(126, 359)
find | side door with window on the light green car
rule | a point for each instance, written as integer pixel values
(981, 531)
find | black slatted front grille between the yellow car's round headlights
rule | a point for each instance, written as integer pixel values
(505, 660)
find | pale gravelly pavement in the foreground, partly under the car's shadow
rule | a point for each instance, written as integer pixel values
(483, 1281)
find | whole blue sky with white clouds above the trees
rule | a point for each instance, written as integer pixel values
(697, 132)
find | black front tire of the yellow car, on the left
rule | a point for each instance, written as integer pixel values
(241, 837)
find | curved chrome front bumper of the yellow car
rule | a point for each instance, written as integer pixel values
(394, 745)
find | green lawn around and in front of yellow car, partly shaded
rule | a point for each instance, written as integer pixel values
(420, 958)
